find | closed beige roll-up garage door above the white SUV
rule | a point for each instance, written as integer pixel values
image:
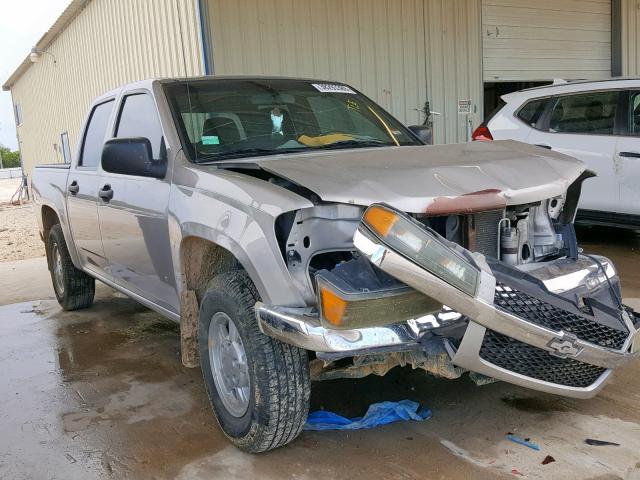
(539, 40)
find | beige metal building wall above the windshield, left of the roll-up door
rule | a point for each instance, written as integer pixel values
(398, 52)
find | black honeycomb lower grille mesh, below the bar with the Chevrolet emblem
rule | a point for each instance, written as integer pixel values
(518, 357)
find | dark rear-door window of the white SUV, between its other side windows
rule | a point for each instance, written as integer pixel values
(588, 113)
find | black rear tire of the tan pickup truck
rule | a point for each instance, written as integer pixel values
(74, 289)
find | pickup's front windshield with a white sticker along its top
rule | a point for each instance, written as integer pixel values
(225, 119)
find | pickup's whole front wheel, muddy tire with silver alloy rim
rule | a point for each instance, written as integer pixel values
(259, 387)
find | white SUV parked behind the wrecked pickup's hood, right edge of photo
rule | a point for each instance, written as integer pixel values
(597, 122)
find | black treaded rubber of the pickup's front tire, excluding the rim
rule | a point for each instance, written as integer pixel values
(278, 402)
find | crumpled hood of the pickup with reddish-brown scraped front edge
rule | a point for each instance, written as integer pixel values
(433, 179)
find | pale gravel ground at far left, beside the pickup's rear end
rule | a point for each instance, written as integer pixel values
(19, 238)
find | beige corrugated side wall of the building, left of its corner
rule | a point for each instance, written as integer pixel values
(108, 43)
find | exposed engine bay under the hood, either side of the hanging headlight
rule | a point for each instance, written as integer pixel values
(320, 239)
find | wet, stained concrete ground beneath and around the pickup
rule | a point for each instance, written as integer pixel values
(101, 393)
